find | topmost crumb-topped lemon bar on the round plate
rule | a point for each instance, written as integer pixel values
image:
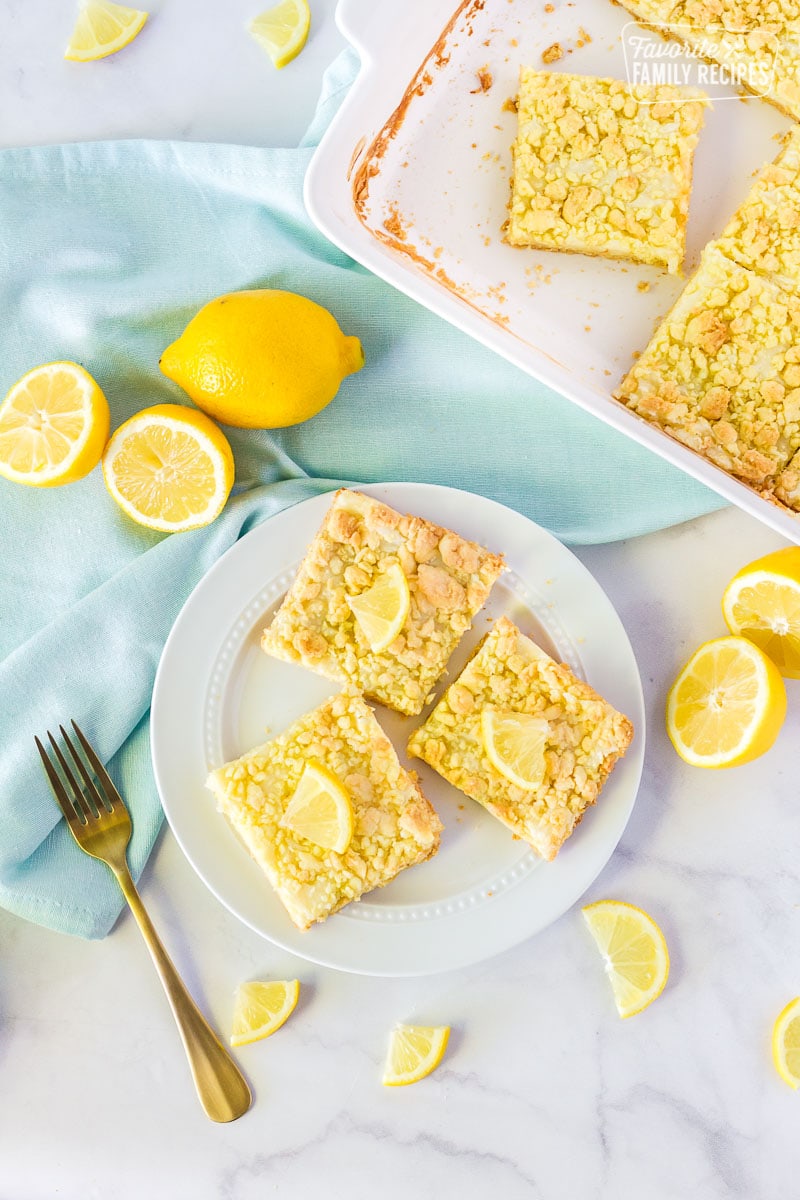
(364, 544)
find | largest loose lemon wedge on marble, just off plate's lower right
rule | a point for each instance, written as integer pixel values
(635, 951)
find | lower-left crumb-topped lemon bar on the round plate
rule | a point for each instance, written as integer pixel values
(394, 826)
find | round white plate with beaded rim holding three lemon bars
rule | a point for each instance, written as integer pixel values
(218, 695)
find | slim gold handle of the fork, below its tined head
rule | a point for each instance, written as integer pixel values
(220, 1085)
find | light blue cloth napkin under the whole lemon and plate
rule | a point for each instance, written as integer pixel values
(106, 253)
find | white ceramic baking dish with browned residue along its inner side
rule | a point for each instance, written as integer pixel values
(412, 181)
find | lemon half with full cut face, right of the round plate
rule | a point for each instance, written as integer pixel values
(727, 705)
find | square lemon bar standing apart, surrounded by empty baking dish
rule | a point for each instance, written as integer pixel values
(601, 167)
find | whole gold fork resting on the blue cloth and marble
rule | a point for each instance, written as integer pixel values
(101, 825)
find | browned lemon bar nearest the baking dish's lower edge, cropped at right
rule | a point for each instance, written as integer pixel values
(723, 375)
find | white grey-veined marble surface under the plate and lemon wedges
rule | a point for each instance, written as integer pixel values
(545, 1093)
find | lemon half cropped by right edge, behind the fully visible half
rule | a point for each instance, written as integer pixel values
(762, 603)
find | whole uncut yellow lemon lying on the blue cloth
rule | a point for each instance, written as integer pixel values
(262, 359)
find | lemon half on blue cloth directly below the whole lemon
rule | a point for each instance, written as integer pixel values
(171, 469)
